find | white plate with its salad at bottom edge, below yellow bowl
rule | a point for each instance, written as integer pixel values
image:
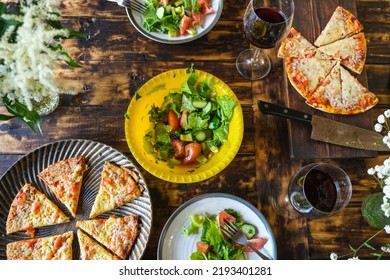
(193, 231)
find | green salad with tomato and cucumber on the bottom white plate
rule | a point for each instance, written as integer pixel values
(212, 244)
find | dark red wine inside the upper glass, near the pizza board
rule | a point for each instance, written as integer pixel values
(267, 29)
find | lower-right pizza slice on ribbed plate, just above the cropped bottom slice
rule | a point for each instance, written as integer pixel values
(117, 234)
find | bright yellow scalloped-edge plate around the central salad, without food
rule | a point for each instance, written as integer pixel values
(153, 92)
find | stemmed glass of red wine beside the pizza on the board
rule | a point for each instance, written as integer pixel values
(266, 23)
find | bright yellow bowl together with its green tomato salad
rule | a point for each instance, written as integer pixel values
(184, 125)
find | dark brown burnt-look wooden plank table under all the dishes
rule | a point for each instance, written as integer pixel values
(117, 60)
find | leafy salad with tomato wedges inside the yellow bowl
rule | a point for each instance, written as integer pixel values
(191, 124)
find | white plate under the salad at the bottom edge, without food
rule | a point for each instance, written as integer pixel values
(175, 246)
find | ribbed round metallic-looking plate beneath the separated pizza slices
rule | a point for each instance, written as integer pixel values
(26, 169)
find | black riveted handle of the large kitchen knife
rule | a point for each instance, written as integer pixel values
(273, 109)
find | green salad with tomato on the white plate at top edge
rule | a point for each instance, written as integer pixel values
(176, 17)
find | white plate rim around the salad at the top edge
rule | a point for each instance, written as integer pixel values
(210, 21)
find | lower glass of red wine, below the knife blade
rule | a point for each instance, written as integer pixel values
(319, 190)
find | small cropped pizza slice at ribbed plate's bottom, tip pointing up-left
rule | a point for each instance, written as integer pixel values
(92, 250)
